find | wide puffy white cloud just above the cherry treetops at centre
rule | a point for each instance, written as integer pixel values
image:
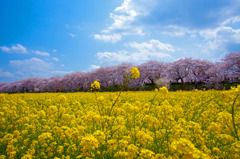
(150, 50)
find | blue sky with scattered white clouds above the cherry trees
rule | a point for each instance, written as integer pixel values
(49, 38)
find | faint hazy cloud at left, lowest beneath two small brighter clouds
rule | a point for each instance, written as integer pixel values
(33, 64)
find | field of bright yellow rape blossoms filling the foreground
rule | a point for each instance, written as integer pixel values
(157, 124)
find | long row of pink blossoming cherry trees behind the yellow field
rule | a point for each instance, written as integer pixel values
(182, 71)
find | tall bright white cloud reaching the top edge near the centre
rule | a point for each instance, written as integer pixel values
(125, 20)
